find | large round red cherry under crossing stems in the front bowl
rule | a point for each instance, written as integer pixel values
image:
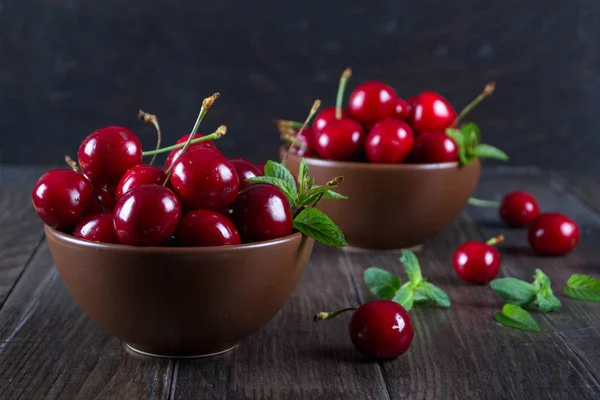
(204, 179)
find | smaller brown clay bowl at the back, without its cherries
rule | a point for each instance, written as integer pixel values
(392, 206)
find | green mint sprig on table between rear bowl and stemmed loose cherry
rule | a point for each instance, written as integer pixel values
(388, 286)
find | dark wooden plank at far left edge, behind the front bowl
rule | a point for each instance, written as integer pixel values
(21, 230)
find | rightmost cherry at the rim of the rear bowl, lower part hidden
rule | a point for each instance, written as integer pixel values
(434, 147)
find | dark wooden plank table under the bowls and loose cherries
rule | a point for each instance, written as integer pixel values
(50, 349)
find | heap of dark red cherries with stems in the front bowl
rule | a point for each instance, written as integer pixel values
(200, 198)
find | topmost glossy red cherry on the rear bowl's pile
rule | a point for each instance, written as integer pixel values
(372, 101)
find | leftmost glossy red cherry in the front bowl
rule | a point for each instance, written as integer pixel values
(61, 197)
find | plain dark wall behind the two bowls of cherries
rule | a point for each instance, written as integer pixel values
(68, 67)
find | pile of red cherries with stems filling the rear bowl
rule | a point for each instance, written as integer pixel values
(379, 126)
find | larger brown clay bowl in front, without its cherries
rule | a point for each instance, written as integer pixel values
(180, 302)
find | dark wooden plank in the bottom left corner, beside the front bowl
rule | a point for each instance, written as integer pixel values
(51, 350)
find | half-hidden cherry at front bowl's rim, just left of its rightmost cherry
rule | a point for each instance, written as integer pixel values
(207, 228)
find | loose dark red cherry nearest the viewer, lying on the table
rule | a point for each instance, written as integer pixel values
(381, 330)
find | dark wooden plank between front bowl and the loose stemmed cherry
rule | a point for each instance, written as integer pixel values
(293, 357)
